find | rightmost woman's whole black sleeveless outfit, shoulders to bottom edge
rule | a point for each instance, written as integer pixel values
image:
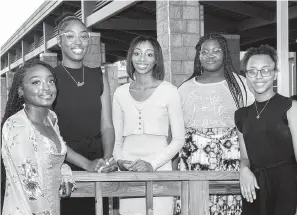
(269, 146)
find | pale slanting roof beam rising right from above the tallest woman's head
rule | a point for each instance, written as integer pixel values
(108, 11)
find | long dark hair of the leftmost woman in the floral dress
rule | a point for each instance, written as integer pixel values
(15, 102)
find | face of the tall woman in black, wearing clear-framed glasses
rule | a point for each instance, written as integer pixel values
(74, 41)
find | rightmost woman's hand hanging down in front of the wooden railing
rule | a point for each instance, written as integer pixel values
(248, 183)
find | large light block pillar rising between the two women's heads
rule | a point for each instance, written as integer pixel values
(180, 24)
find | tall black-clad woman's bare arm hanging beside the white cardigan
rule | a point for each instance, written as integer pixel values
(107, 129)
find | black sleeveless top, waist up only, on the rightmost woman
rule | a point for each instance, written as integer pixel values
(268, 139)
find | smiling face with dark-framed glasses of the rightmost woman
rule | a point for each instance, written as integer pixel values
(262, 80)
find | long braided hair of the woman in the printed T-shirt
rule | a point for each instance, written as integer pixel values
(229, 70)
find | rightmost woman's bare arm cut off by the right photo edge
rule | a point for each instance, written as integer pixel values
(292, 116)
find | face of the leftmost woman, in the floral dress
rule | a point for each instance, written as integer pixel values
(38, 87)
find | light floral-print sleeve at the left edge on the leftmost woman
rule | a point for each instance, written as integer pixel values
(23, 171)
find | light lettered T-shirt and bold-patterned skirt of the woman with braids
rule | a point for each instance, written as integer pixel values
(211, 142)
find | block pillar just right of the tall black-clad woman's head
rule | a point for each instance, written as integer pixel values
(93, 56)
